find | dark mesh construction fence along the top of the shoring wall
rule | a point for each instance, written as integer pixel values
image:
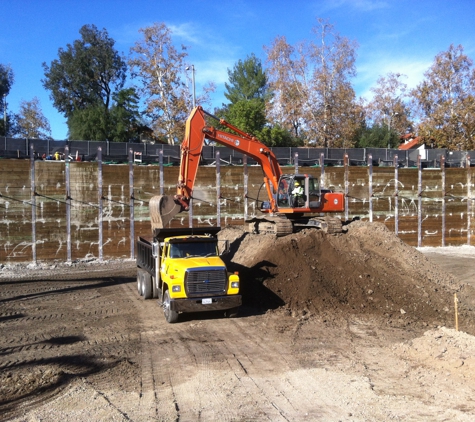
(117, 153)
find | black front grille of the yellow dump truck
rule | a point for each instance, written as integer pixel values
(208, 282)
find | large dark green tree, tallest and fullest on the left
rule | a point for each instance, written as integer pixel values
(83, 80)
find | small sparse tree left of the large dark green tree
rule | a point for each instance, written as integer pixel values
(31, 121)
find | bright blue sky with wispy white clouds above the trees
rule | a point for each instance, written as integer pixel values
(399, 36)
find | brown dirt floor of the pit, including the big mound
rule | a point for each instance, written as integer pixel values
(350, 327)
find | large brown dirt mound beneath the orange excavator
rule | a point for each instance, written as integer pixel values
(367, 271)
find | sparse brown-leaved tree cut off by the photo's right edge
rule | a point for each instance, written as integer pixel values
(445, 101)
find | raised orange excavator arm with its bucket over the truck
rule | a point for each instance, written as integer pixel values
(163, 208)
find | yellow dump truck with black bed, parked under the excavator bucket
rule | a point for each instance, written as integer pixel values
(182, 268)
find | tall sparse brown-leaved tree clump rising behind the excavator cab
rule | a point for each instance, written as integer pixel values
(312, 91)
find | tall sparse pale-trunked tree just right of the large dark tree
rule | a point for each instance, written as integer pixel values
(160, 67)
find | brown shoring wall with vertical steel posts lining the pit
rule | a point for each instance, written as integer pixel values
(56, 210)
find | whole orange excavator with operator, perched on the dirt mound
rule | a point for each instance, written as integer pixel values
(294, 201)
